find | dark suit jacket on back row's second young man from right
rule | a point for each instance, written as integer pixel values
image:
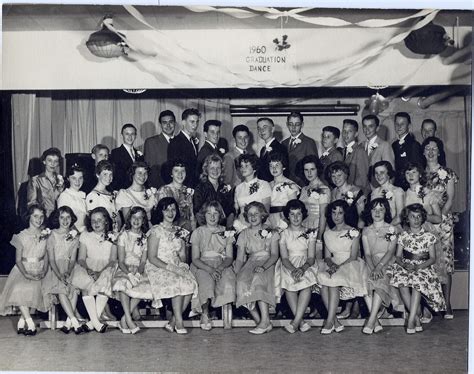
(409, 151)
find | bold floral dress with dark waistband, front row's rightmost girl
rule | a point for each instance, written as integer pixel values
(425, 281)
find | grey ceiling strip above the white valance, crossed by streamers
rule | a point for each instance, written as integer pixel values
(45, 17)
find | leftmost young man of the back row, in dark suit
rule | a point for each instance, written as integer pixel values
(124, 156)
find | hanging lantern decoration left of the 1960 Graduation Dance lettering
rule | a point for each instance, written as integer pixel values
(106, 43)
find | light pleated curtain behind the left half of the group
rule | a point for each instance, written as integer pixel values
(74, 123)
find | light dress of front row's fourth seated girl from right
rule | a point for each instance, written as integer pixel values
(297, 246)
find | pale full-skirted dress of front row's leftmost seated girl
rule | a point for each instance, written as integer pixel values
(18, 290)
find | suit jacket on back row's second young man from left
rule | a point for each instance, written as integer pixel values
(156, 154)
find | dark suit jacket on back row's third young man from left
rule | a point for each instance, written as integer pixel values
(182, 148)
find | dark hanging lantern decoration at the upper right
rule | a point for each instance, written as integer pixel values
(429, 40)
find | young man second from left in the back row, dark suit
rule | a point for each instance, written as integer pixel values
(156, 147)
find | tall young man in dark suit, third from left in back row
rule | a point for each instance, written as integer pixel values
(184, 145)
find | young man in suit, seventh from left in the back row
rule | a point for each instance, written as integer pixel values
(298, 144)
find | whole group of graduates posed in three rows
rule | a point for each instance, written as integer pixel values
(367, 222)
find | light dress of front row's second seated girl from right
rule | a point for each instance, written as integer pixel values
(379, 241)
